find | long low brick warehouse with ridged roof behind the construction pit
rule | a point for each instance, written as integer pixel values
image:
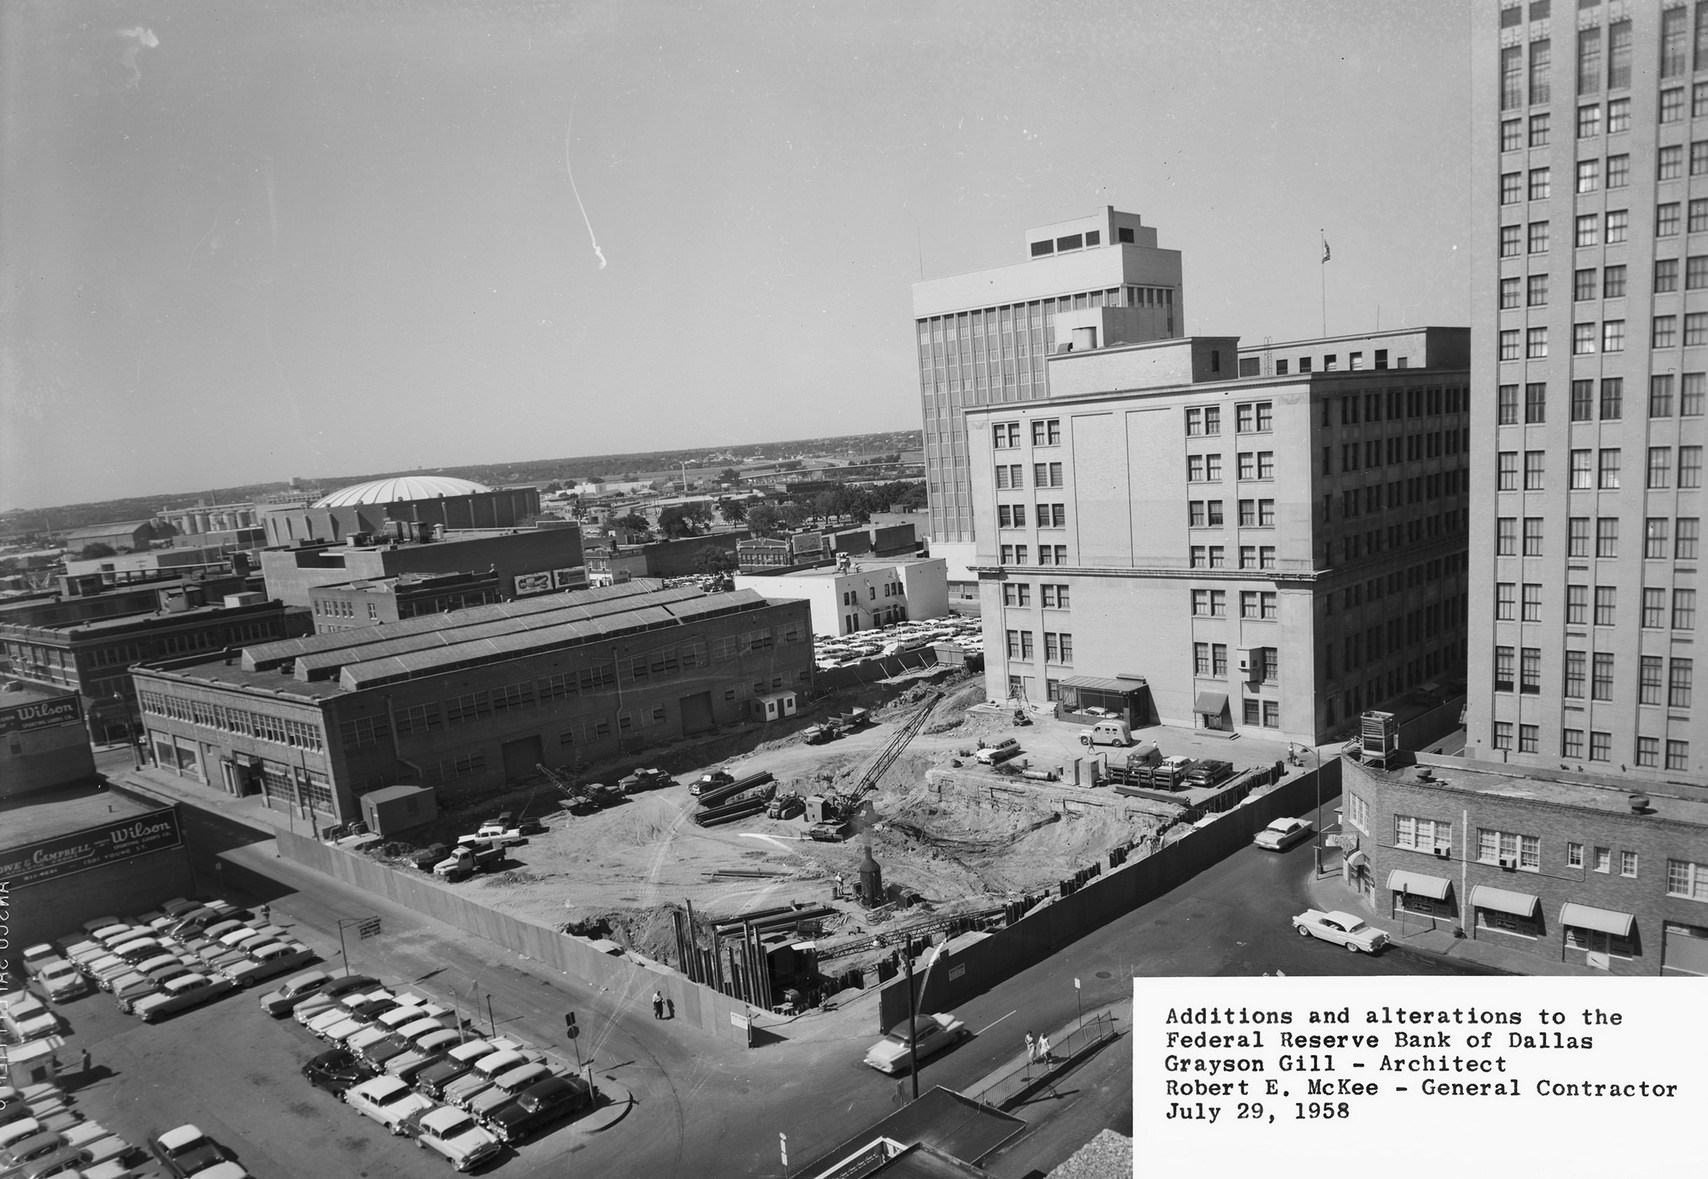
(472, 700)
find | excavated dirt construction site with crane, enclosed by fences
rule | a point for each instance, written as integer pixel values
(792, 860)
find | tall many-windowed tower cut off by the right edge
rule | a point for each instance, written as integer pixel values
(1589, 385)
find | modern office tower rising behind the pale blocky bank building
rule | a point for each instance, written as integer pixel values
(983, 339)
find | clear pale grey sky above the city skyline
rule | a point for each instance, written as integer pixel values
(247, 242)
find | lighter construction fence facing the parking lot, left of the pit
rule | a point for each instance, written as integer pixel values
(624, 980)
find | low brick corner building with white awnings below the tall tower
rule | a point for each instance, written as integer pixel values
(1562, 865)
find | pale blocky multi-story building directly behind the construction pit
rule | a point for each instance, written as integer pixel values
(1273, 553)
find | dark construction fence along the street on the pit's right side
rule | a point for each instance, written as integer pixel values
(1120, 891)
